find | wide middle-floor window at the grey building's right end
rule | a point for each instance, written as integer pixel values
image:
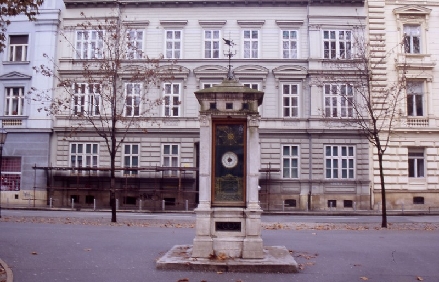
(338, 100)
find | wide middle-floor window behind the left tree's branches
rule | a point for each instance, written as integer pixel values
(86, 99)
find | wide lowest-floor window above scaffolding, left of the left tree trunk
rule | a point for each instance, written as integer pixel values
(84, 155)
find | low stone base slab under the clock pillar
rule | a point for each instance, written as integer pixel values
(277, 259)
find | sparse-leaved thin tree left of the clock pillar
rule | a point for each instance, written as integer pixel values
(108, 90)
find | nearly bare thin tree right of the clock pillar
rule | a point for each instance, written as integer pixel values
(370, 99)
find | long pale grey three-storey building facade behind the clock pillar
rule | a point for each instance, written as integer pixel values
(285, 48)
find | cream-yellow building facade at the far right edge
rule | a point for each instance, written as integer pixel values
(406, 31)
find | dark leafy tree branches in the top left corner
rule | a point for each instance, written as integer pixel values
(12, 8)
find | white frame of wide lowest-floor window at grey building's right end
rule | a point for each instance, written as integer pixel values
(334, 163)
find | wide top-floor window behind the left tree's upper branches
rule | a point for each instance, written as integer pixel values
(89, 44)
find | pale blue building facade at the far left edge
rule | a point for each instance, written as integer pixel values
(29, 130)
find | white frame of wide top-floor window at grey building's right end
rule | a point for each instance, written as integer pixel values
(338, 55)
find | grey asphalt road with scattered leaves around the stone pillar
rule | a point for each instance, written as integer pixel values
(74, 252)
